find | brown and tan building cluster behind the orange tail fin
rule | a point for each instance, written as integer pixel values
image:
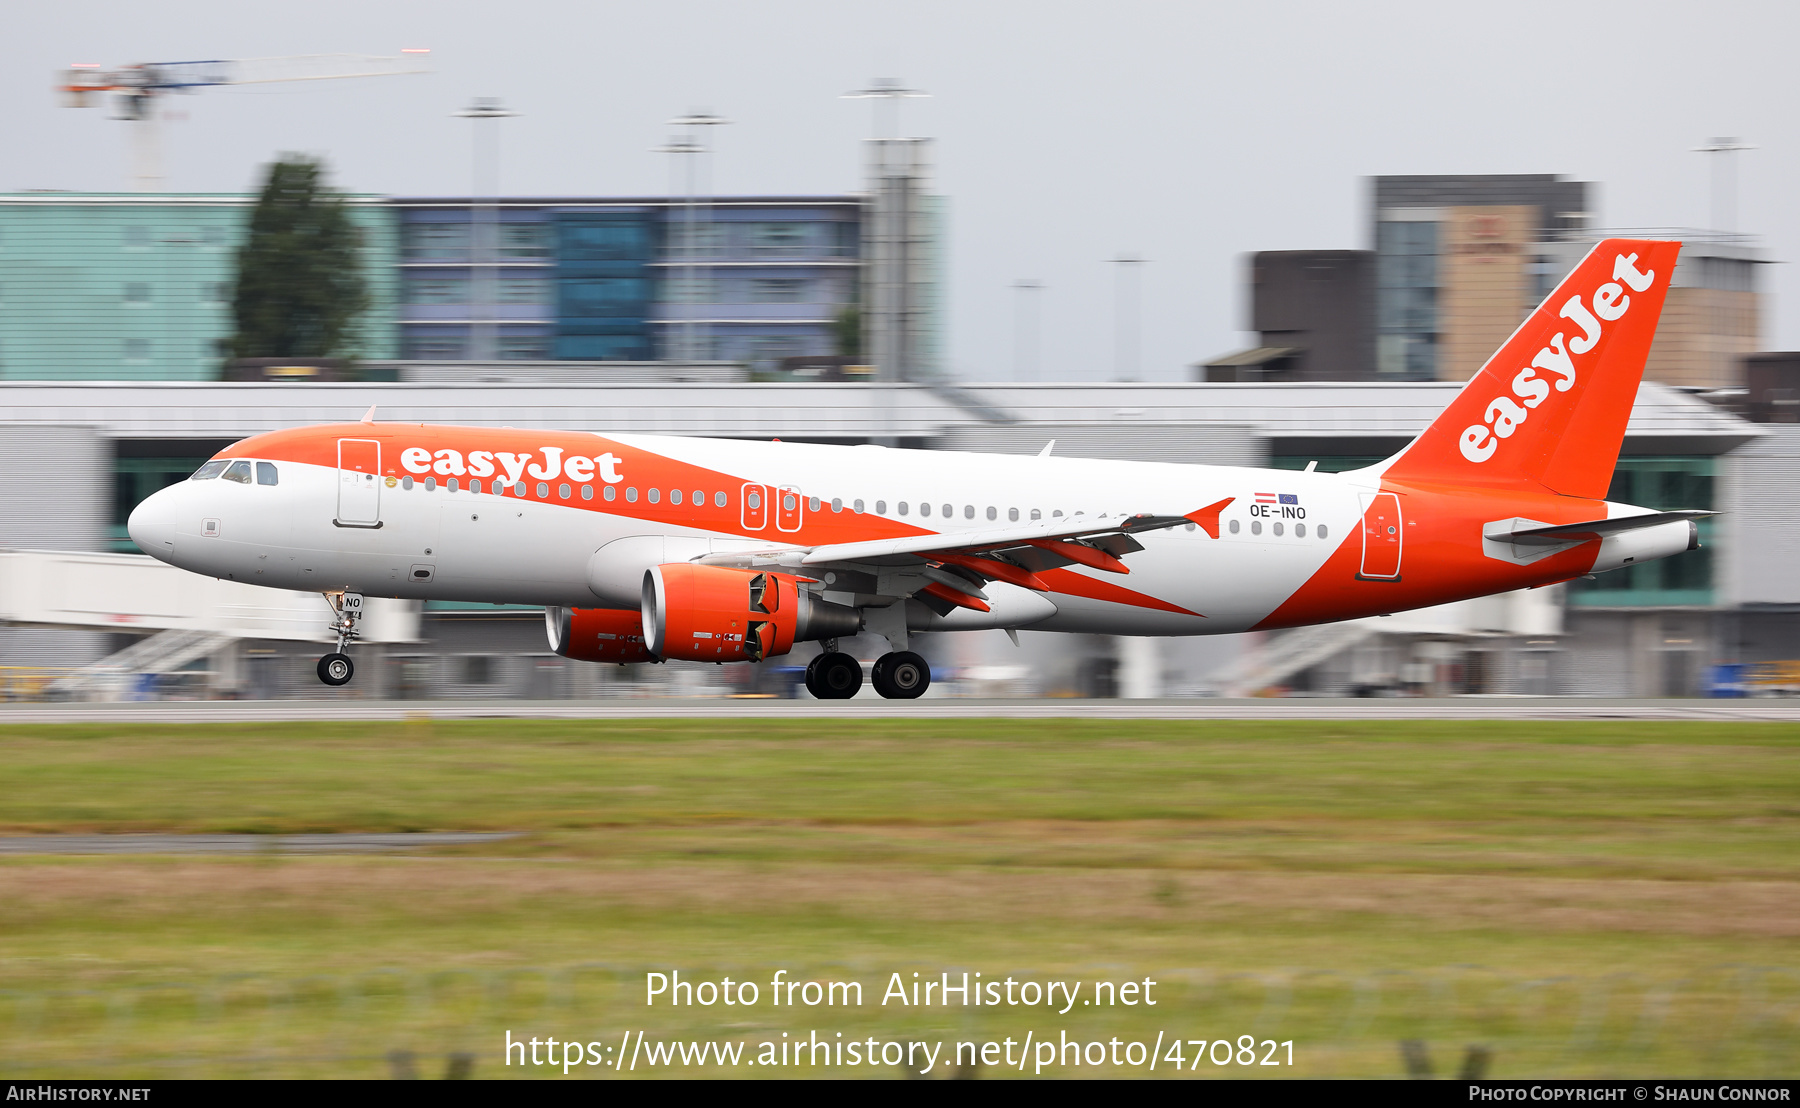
(1457, 264)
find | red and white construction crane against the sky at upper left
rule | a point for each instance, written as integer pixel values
(139, 89)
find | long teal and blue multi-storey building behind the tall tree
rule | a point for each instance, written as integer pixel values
(132, 287)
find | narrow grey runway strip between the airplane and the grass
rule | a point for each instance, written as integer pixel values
(1459, 708)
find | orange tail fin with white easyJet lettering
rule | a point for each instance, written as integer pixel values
(1551, 407)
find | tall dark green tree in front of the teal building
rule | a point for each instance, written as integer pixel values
(300, 271)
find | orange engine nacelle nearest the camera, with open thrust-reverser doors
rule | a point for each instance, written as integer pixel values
(715, 614)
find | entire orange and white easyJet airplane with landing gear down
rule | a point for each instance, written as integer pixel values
(647, 548)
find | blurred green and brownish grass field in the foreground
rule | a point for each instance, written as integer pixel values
(1581, 898)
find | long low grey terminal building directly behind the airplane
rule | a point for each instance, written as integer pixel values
(1642, 632)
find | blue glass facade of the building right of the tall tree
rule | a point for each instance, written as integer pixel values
(620, 281)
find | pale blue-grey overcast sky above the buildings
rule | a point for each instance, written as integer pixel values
(1068, 134)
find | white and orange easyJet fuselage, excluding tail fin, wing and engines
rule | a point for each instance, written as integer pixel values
(1291, 550)
